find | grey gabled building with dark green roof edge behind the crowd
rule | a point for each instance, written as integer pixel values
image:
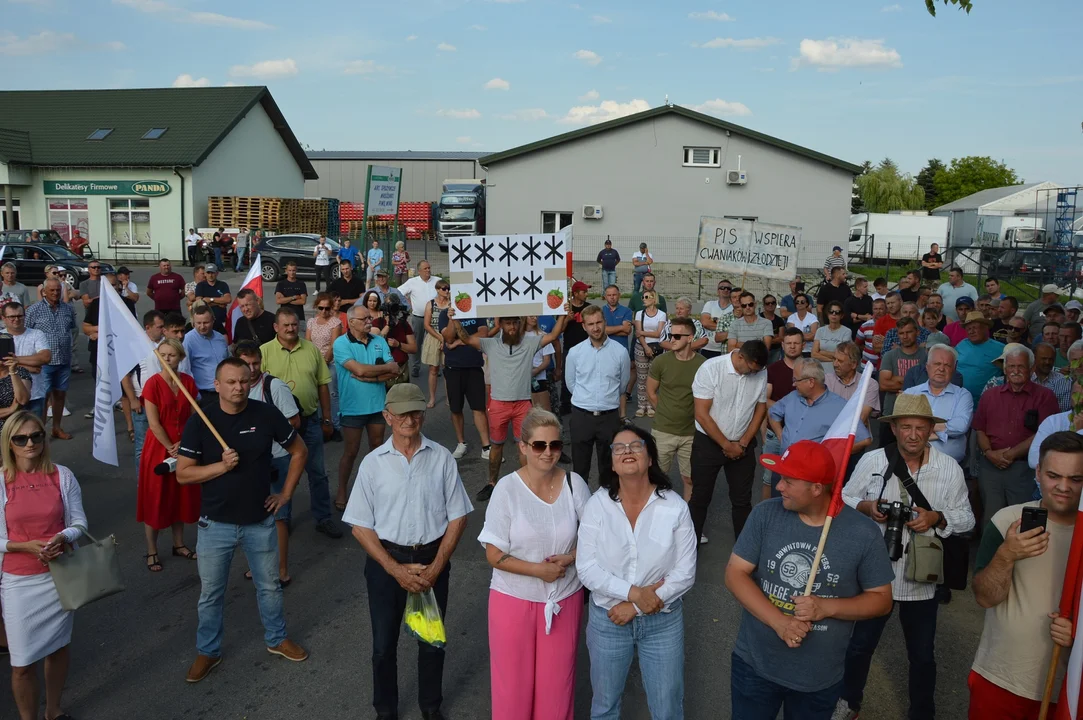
(650, 177)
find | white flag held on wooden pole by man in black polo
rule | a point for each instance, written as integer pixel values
(122, 345)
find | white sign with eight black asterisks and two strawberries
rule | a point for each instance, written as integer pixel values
(508, 276)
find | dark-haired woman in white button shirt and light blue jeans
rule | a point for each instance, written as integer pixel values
(637, 557)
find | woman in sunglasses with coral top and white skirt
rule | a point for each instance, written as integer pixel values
(41, 513)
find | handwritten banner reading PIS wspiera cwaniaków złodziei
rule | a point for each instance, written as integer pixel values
(745, 247)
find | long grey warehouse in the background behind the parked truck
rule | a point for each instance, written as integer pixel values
(343, 174)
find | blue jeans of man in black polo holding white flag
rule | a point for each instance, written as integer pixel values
(215, 545)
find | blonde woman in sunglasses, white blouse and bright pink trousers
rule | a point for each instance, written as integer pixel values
(536, 600)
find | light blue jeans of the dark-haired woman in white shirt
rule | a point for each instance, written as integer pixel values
(660, 640)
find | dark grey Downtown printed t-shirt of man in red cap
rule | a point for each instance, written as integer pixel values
(782, 549)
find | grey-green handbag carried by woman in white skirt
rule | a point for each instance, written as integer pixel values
(89, 574)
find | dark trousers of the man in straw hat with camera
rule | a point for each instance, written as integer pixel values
(919, 619)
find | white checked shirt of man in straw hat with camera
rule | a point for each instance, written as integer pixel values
(943, 485)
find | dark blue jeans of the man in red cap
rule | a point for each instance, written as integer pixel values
(755, 698)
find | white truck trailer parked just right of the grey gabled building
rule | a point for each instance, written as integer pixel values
(903, 237)
